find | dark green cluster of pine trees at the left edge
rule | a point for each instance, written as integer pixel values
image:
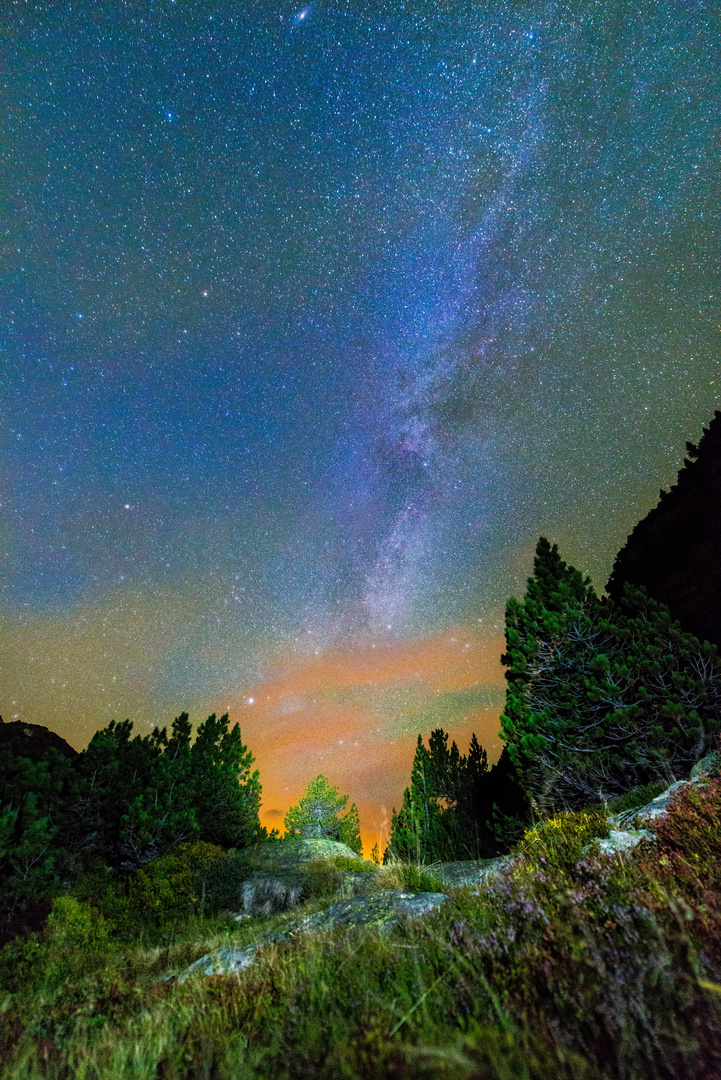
(124, 803)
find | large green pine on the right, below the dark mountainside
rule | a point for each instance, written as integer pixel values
(603, 696)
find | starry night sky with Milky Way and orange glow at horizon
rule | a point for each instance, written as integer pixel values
(312, 320)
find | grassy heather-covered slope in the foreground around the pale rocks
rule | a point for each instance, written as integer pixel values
(570, 966)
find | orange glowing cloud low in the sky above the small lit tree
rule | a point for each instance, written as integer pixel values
(329, 714)
